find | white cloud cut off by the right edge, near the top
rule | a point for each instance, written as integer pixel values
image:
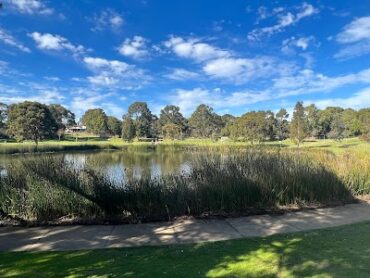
(356, 38)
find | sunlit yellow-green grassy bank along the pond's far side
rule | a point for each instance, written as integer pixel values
(351, 144)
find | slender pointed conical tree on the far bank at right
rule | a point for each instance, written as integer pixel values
(298, 126)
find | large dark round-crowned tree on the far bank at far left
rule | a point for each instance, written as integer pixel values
(31, 121)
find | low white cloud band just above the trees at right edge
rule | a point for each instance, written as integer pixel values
(358, 100)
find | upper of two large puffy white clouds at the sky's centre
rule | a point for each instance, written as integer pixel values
(194, 49)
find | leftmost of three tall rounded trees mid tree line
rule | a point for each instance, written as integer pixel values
(141, 117)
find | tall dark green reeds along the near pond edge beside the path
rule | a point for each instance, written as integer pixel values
(46, 188)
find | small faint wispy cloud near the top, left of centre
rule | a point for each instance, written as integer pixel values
(107, 19)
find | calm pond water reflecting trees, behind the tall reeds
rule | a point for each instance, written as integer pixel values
(120, 165)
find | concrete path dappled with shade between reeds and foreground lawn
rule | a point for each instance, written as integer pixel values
(184, 231)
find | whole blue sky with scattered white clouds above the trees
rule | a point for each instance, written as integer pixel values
(235, 56)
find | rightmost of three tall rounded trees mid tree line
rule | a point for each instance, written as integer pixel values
(204, 122)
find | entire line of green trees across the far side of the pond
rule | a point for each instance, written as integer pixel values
(36, 121)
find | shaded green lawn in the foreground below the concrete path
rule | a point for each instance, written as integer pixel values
(336, 252)
